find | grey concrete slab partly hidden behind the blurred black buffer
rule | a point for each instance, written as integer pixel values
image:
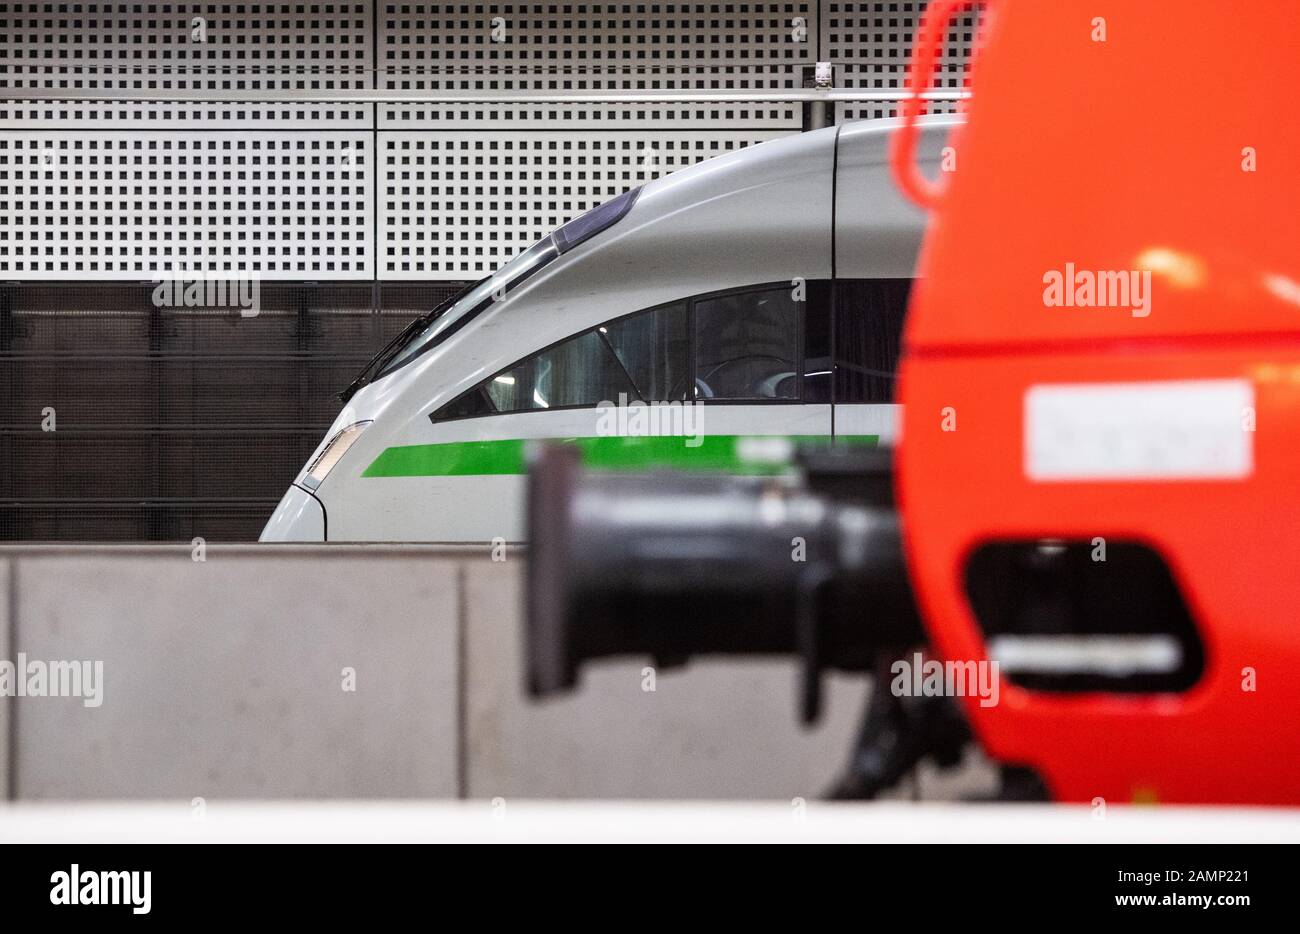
(723, 730)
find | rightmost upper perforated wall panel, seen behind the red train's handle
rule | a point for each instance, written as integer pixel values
(870, 45)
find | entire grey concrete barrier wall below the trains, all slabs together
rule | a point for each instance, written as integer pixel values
(366, 672)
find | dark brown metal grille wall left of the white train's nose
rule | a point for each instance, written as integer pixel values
(122, 420)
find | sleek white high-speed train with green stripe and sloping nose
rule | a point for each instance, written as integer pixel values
(755, 296)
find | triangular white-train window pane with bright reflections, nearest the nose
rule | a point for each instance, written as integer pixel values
(582, 371)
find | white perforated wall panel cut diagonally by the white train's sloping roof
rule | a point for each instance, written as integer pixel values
(441, 192)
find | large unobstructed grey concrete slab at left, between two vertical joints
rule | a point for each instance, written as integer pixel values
(227, 678)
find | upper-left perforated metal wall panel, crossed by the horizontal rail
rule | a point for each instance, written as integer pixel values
(185, 46)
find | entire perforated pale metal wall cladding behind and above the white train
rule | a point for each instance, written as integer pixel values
(192, 188)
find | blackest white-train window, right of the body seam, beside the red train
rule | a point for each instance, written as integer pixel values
(869, 317)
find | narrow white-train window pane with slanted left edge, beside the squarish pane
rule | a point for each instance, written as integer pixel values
(655, 348)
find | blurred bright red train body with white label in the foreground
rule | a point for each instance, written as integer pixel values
(1104, 154)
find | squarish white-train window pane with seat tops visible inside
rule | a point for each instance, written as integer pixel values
(748, 345)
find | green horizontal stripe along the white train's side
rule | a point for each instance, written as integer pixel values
(722, 453)
